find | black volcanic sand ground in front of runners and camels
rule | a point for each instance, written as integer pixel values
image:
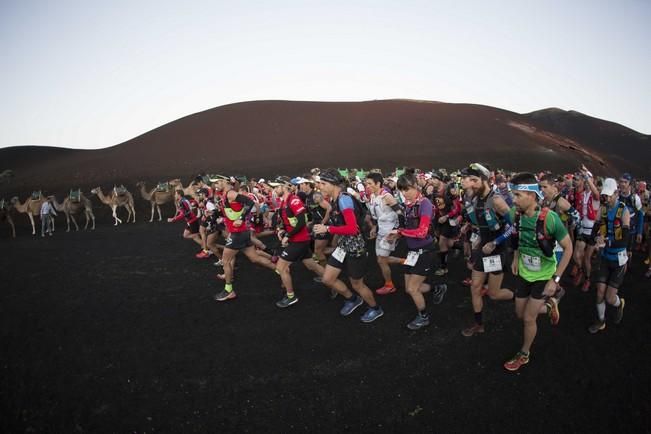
(117, 331)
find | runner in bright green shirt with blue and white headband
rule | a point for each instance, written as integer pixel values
(534, 263)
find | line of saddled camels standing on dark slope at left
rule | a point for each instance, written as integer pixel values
(76, 205)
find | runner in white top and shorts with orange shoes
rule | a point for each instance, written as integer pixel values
(384, 211)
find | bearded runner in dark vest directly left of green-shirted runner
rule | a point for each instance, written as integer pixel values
(491, 228)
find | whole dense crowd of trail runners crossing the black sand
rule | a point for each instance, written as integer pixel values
(539, 227)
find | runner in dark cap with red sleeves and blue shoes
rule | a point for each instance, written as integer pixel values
(351, 252)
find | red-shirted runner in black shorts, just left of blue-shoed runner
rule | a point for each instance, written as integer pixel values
(295, 240)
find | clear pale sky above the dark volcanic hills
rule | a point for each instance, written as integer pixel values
(86, 74)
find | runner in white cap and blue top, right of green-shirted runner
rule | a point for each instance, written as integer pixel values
(612, 234)
